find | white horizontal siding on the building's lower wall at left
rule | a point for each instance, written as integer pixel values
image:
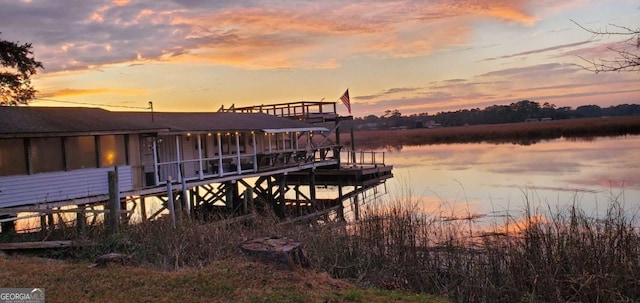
(60, 186)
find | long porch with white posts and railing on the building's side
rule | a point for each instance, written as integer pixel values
(199, 156)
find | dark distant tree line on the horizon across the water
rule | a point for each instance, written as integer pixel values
(520, 111)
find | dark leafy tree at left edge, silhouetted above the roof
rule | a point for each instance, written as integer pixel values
(18, 65)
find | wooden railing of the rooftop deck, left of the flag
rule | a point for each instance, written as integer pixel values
(302, 110)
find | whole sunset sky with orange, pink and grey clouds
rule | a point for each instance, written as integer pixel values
(413, 56)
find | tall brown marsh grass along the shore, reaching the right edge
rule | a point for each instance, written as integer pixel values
(559, 256)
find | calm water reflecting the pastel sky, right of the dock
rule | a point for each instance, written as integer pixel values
(494, 179)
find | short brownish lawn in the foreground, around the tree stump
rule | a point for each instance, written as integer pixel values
(237, 279)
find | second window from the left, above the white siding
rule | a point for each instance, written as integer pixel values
(46, 155)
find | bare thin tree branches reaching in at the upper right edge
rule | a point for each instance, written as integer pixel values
(625, 58)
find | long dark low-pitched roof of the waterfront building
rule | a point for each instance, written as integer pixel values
(49, 121)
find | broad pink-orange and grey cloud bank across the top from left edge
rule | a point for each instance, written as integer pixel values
(250, 35)
